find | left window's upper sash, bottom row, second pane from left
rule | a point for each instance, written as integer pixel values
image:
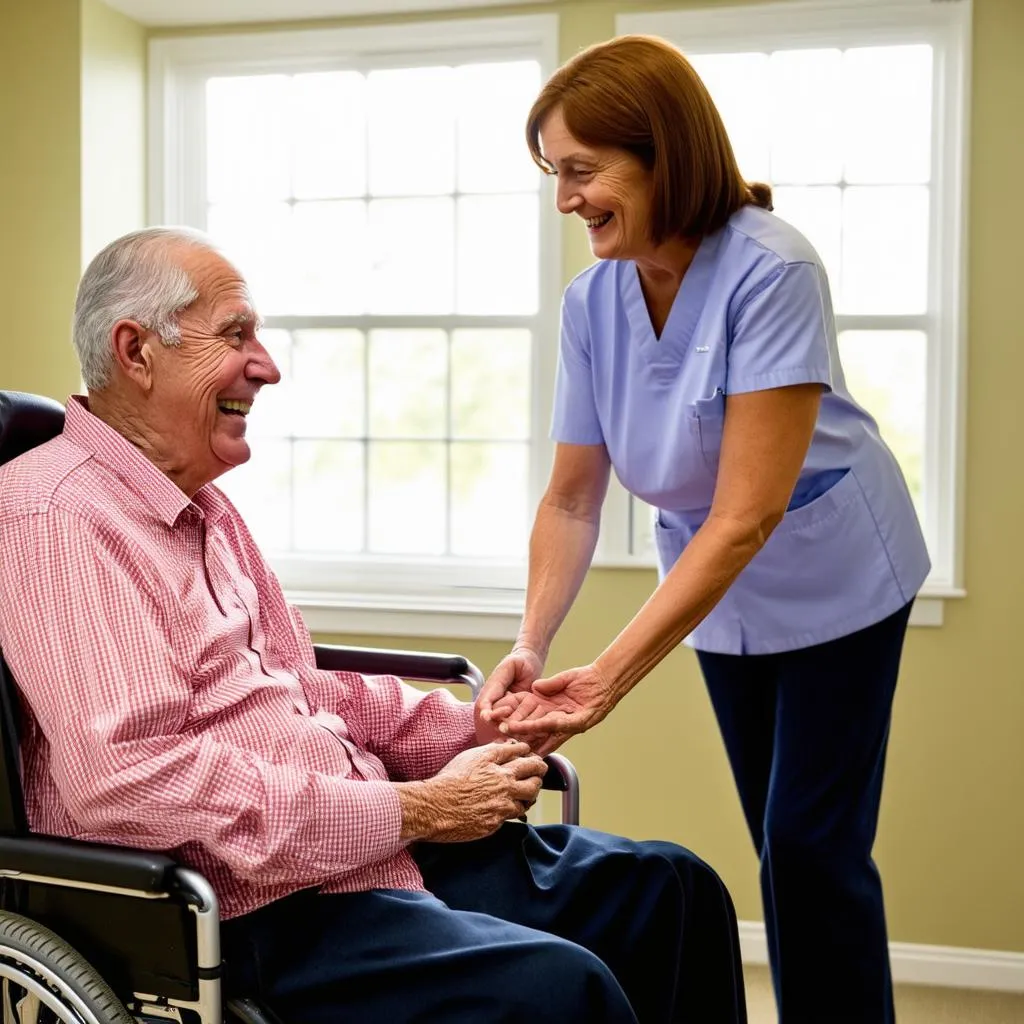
(331, 270)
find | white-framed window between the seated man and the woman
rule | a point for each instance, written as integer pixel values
(375, 188)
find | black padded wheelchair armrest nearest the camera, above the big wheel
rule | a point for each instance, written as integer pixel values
(88, 865)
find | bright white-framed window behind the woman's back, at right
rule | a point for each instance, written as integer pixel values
(855, 113)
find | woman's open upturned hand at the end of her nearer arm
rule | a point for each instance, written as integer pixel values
(558, 708)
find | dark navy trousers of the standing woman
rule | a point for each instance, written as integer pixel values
(806, 734)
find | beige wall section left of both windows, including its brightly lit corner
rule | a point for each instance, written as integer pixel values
(72, 89)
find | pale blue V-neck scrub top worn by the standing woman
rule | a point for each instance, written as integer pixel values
(753, 313)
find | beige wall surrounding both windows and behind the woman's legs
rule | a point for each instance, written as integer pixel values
(952, 839)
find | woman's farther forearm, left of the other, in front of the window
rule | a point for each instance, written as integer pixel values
(562, 548)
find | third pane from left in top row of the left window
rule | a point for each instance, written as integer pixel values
(412, 132)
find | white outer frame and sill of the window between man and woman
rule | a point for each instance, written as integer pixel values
(381, 595)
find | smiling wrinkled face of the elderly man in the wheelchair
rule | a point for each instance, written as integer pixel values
(203, 390)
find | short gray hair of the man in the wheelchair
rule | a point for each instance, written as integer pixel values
(135, 278)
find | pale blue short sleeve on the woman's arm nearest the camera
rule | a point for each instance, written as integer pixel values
(781, 332)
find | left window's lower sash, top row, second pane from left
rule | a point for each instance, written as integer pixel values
(330, 377)
